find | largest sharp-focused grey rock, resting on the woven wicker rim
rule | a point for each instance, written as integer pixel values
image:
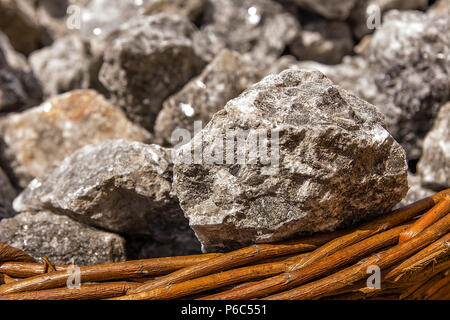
(336, 164)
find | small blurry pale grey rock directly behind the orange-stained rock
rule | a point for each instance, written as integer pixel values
(63, 66)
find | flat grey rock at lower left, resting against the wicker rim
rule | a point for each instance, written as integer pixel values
(61, 239)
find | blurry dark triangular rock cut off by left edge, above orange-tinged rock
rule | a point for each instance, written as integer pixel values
(18, 86)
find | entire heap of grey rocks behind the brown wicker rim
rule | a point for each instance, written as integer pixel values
(116, 118)
